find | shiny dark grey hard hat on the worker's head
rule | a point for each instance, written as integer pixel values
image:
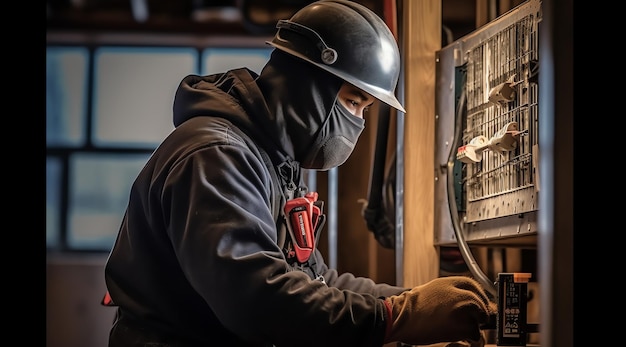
(348, 40)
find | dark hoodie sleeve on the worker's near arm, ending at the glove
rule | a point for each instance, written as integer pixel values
(224, 236)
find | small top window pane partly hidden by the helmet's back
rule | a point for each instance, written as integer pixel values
(215, 60)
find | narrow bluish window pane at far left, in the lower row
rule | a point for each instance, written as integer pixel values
(53, 201)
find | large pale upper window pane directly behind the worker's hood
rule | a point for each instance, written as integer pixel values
(134, 91)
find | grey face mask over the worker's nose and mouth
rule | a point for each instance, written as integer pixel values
(335, 140)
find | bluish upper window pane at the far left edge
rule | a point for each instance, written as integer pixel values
(66, 89)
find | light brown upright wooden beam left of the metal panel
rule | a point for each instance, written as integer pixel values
(421, 38)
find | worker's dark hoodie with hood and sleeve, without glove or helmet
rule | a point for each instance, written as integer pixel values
(199, 259)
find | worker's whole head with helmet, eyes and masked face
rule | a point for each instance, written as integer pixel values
(328, 52)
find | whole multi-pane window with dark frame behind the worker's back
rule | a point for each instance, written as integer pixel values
(107, 108)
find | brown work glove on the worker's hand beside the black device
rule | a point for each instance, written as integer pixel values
(446, 309)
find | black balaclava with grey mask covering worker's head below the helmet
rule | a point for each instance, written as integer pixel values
(302, 99)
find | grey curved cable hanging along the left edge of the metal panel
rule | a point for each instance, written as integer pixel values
(474, 268)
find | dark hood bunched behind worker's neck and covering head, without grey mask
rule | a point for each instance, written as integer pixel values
(283, 108)
